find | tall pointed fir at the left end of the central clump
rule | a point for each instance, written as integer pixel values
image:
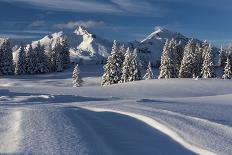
(113, 68)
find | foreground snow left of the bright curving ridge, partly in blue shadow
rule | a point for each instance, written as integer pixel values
(56, 129)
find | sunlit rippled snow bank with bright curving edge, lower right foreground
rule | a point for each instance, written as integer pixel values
(198, 134)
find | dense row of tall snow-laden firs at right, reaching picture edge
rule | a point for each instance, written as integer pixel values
(194, 60)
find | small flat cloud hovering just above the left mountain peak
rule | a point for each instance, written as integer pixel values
(74, 24)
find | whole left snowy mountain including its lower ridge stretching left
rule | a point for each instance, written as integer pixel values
(85, 46)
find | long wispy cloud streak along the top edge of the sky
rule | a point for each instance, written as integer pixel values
(122, 7)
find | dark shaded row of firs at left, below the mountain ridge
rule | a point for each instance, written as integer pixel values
(34, 60)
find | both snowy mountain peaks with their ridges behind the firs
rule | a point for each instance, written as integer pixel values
(88, 48)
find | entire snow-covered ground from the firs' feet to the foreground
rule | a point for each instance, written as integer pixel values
(197, 117)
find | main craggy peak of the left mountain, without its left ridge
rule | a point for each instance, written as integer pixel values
(88, 46)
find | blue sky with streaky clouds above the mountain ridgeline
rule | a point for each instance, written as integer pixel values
(117, 19)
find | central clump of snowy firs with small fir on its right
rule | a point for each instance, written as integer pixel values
(123, 65)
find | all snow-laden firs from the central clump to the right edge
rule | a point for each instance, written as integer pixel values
(194, 60)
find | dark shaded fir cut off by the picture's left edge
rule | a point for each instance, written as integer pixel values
(6, 58)
